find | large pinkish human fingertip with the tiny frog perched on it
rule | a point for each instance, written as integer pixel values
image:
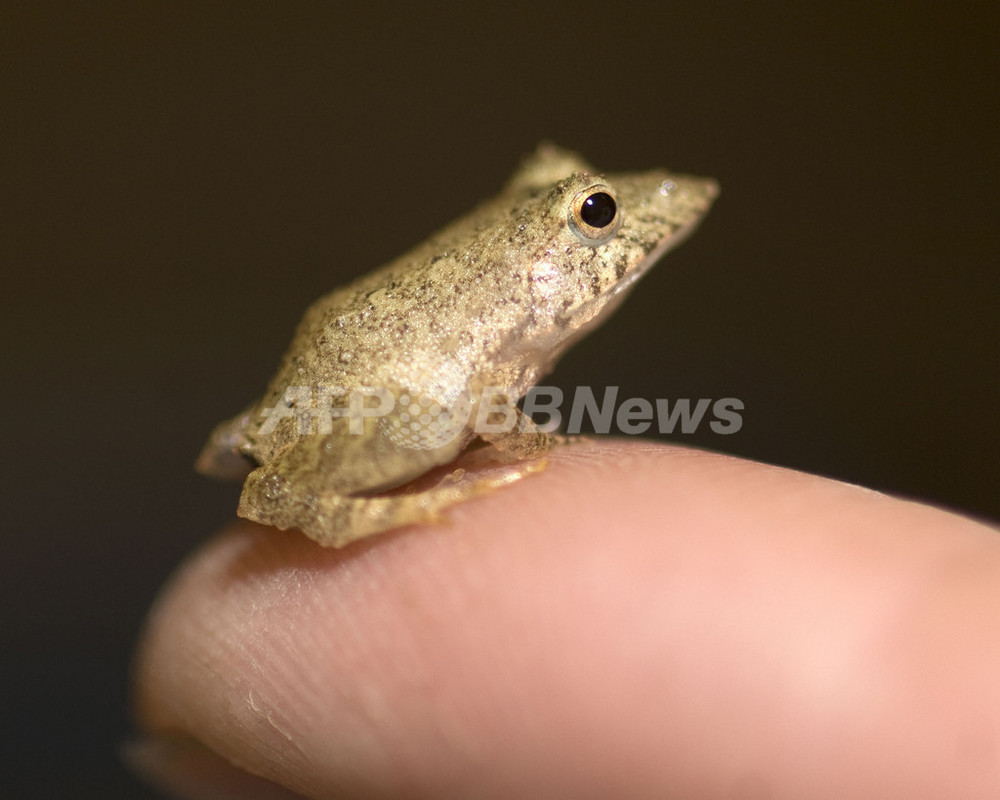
(635, 621)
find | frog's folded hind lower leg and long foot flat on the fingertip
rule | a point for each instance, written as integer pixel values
(337, 520)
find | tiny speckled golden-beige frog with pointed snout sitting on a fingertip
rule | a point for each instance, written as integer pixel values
(398, 373)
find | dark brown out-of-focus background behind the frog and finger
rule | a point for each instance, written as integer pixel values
(180, 180)
